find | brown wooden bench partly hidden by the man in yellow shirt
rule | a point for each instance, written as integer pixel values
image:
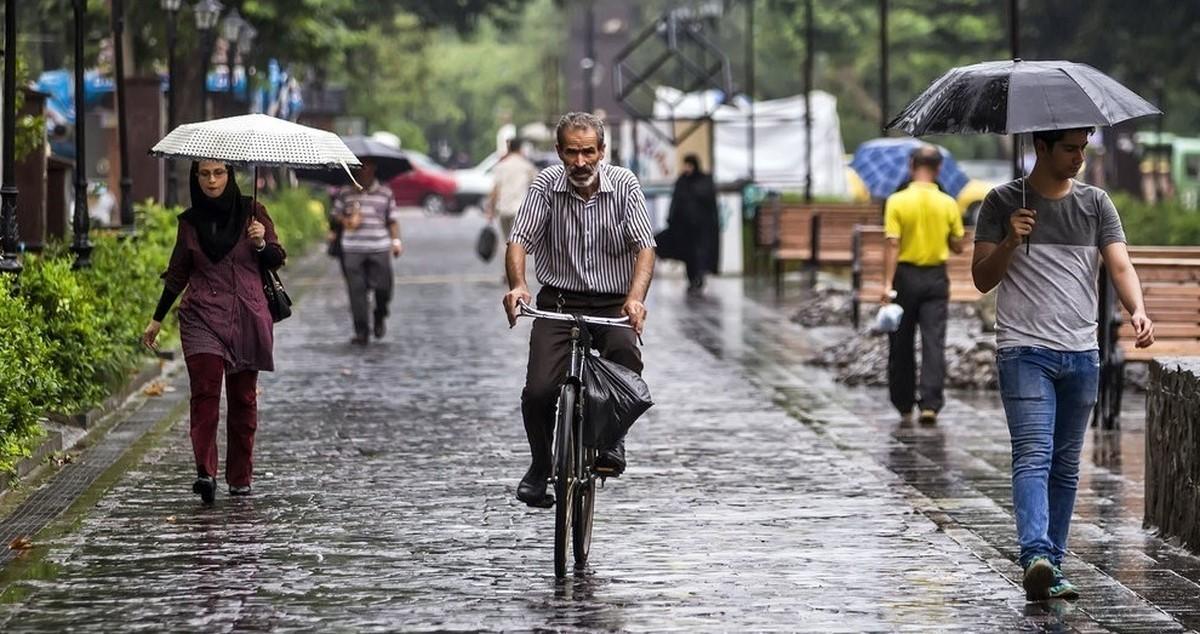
(867, 273)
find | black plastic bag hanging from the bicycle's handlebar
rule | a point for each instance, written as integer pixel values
(614, 398)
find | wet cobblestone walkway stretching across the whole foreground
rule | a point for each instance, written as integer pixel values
(760, 497)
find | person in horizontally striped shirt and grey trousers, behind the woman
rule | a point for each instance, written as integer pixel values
(370, 242)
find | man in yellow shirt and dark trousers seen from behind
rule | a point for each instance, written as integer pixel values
(923, 226)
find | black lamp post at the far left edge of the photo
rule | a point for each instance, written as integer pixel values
(10, 260)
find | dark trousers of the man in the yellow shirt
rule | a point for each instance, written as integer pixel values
(923, 292)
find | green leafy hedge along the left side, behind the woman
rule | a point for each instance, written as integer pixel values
(74, 337)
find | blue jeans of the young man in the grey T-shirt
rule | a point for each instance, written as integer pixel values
(1048, 397)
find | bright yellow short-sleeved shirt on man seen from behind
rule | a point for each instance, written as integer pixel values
(923, 219)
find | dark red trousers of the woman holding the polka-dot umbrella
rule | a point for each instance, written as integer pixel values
(206, 373)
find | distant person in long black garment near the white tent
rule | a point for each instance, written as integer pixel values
(694, 223)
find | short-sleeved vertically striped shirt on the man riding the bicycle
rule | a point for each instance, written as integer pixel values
(585, 247)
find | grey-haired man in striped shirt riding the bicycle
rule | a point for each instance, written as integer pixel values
(587, 228)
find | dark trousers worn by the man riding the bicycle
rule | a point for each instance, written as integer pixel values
(550, 352)
